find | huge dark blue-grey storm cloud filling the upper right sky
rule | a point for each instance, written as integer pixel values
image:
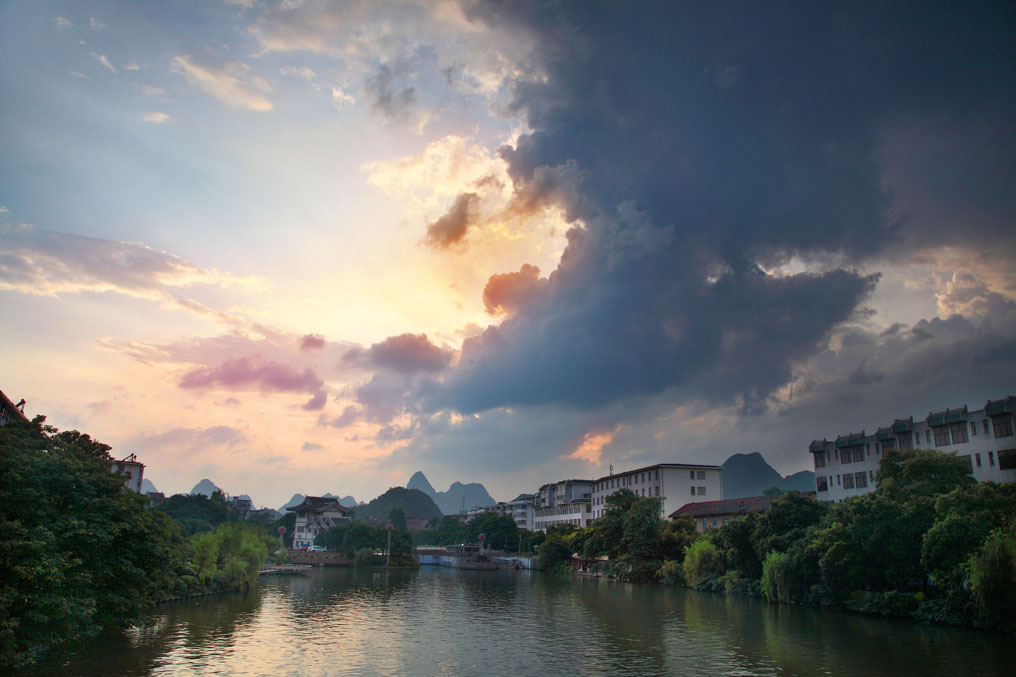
(696, 142)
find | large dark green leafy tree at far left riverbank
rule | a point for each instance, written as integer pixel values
(79, 551)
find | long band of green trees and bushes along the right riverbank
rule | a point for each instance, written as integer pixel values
(929, 544)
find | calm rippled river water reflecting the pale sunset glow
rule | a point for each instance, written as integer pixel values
(440, 622)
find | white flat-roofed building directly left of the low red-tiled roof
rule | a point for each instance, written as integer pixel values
(674, 483)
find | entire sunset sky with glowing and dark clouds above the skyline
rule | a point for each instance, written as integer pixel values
(308, 247)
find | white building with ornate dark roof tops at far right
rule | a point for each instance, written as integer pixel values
(848, 466)
